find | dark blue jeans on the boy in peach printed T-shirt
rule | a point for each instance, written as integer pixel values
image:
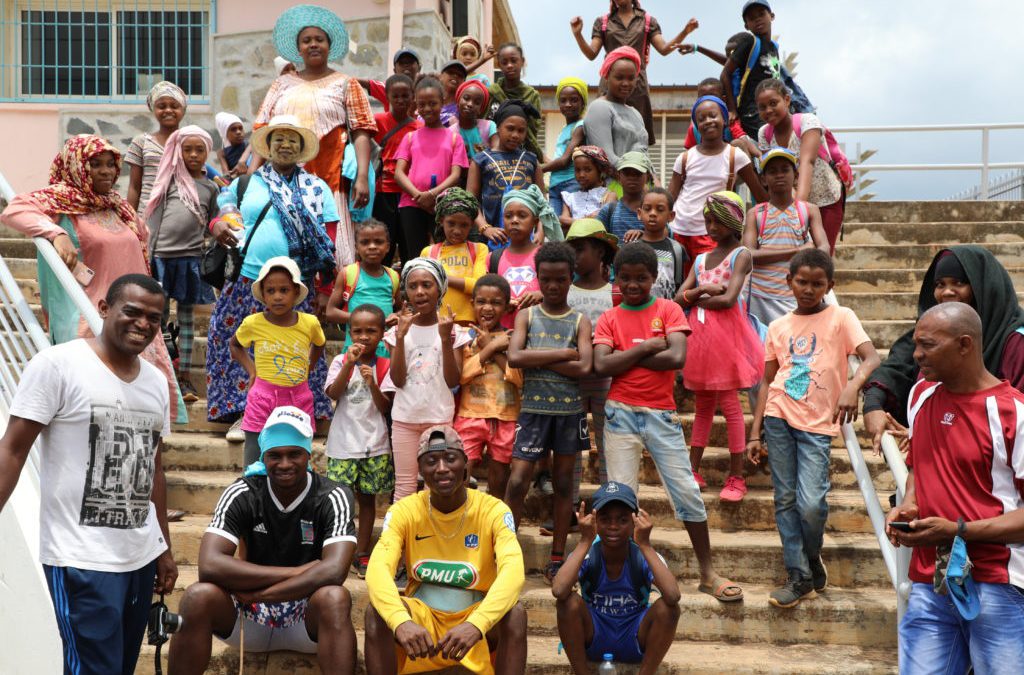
(799, 462)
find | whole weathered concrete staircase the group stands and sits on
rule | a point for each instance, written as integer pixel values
(850, 628)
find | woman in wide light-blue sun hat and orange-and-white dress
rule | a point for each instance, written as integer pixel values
(331, 104)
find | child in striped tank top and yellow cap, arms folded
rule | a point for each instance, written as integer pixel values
(776, 232)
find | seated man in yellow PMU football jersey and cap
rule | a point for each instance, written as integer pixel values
(465, 575)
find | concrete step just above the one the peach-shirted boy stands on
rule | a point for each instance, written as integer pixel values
(752, 558)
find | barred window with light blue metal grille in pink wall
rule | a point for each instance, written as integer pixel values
(113, 52)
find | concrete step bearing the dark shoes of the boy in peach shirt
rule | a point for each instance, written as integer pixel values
(835, 617)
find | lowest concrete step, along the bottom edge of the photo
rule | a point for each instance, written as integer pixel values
(544, 658)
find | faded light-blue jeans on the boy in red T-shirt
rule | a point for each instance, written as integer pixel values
(628, 430)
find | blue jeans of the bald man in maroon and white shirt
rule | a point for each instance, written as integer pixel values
(934, 640)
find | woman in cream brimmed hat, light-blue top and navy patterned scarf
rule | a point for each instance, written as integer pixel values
(287, 213)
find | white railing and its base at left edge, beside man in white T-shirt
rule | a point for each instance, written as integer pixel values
(27, 618)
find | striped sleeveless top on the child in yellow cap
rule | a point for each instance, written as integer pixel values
(781, 230)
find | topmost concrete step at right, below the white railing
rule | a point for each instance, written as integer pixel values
(898, 213)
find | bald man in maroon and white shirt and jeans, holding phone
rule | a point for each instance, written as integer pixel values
(967, 479)
